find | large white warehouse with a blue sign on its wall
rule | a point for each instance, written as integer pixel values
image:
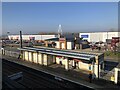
(98, 36)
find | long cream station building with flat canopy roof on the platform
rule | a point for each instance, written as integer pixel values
(91, 62)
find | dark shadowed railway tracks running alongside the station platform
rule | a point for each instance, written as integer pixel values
(36, 79)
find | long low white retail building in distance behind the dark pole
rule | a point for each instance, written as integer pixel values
(34, 37)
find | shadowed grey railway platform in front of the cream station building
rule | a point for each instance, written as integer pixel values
(71, 75)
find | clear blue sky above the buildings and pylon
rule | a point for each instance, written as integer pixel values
(35, 17)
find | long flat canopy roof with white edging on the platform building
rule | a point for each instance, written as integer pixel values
(69, 54)
